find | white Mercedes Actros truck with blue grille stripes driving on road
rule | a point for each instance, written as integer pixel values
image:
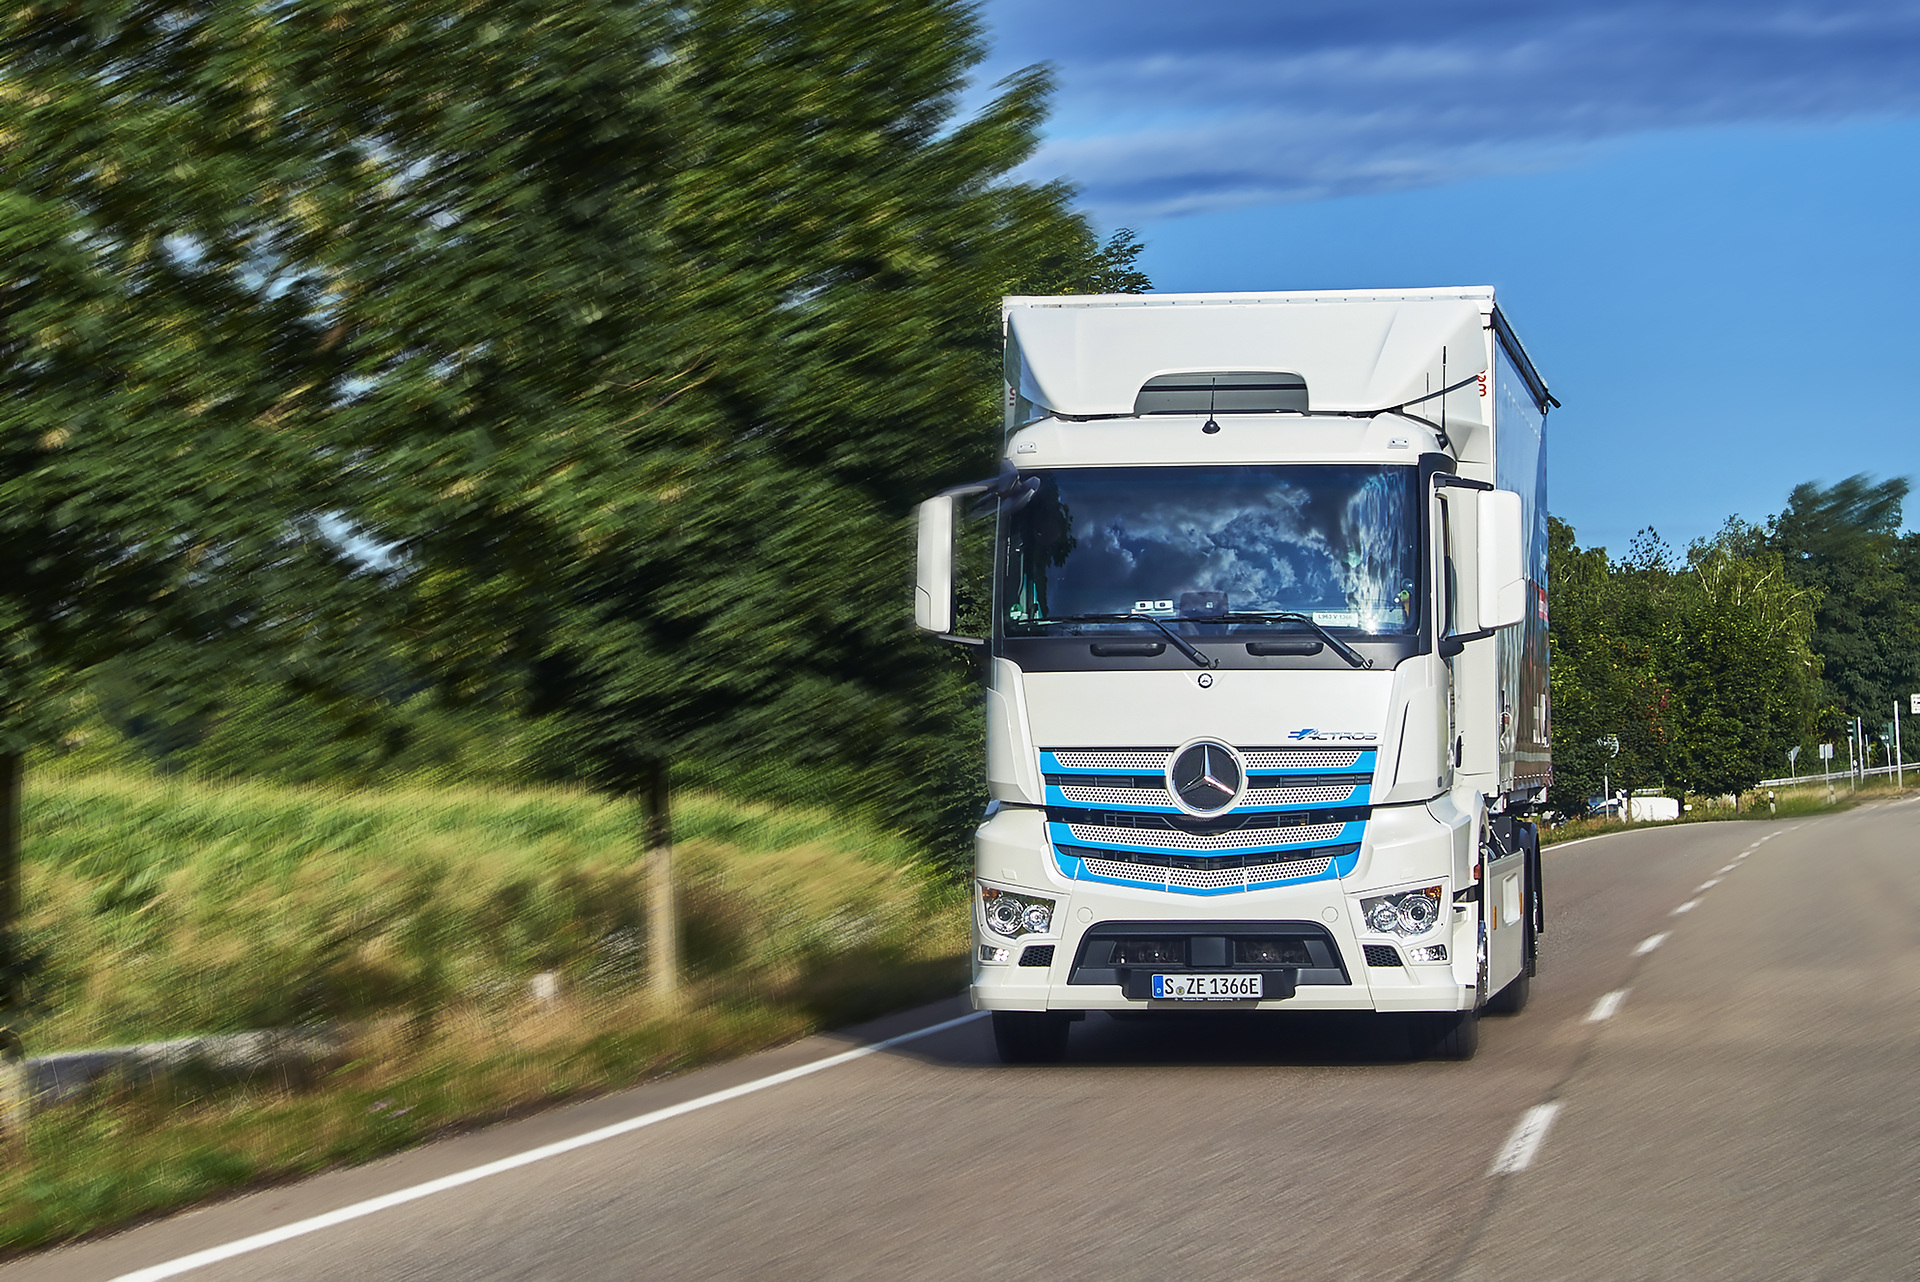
(1266, 669)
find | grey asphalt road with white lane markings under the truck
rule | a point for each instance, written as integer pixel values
(1735, 1101)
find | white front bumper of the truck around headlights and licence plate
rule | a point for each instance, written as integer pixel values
(1316, 928)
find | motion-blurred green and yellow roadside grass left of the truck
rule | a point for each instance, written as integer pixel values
(416, 920)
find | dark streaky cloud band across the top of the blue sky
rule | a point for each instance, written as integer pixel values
(1209, 105)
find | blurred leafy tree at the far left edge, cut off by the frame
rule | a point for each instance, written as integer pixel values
(160, 358)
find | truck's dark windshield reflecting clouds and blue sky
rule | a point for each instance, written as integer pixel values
(1333, 542)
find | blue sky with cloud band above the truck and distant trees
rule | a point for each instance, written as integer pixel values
(1702, 218)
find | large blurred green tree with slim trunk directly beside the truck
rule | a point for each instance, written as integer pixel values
(669, 314)
